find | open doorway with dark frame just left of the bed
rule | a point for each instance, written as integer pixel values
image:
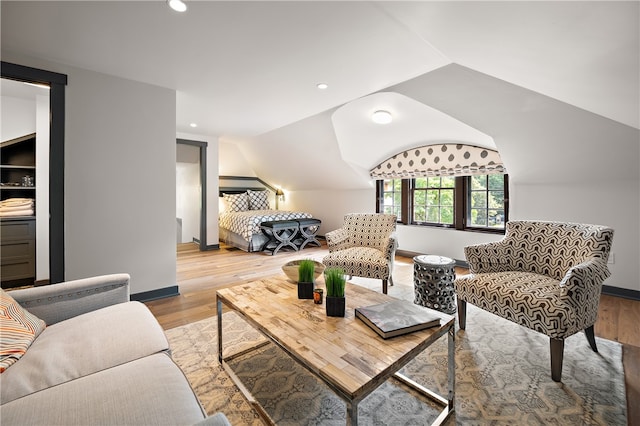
(191, 192)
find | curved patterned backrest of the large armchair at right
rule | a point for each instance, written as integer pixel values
(552, 248)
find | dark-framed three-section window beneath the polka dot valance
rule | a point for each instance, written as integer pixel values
(465, 203)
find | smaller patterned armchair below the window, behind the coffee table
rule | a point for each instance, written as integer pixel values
(365, 246)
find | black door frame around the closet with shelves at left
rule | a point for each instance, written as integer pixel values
(57, 83)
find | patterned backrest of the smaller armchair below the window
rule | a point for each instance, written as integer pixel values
(369, 229)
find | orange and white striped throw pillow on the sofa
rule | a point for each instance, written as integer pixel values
(18, 329)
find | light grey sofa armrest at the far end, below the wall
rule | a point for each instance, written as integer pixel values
(57, 302)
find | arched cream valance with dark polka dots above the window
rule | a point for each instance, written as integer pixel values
(448, 159)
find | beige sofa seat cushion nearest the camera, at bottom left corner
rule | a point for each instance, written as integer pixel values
(147, 391)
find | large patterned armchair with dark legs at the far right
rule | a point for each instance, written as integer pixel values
(546, 276)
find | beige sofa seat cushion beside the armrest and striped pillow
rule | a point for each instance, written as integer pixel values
(84, 345)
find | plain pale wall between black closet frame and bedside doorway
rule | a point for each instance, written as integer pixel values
(120, 157)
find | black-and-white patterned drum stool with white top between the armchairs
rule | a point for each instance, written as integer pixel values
(433, 278)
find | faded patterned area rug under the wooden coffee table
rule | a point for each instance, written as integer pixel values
(502, 377)
